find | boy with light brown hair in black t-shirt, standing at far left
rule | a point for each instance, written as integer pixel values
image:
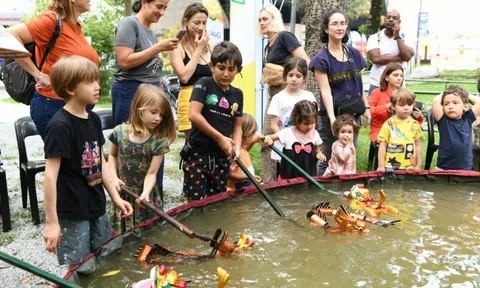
(76, 222)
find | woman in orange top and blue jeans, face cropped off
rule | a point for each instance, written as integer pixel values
(45, 103)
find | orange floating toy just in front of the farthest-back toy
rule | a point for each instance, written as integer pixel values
(345, 221)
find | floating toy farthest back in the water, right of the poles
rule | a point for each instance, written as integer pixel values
(362, 200)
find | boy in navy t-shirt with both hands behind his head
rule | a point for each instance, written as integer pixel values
(455, 120)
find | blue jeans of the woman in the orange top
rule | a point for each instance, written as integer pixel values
(42, 110)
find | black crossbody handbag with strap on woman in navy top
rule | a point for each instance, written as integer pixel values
(349, 104)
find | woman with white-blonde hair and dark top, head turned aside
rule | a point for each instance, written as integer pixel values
(281, 45)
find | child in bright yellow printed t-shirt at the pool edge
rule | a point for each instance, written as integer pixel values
(400, 136)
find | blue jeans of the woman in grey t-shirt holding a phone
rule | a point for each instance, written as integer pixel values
(122, 98)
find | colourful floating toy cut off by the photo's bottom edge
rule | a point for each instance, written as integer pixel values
(160, 277)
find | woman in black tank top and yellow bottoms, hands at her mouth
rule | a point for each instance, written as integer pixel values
(190, 60)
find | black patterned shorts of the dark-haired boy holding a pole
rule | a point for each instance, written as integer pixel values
(204, 175)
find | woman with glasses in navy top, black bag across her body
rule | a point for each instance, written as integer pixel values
(333, 67)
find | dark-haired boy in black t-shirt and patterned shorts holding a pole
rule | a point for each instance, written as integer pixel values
(216, 114)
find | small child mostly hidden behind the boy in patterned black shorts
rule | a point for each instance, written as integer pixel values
(236, 178)
